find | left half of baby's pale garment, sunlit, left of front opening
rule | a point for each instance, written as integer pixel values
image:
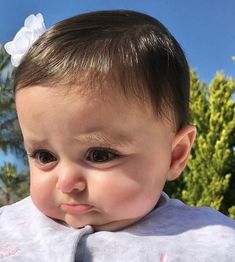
(23, 227)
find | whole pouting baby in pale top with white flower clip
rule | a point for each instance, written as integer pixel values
(102, 100)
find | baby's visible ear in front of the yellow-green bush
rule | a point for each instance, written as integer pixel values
(181, 147)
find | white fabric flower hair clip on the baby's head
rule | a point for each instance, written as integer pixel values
(33, 28)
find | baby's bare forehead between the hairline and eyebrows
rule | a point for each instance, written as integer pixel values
(80, 113)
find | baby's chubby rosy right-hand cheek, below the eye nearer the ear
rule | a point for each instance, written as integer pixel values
(125, 197)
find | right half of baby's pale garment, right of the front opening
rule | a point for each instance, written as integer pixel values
(172, 231)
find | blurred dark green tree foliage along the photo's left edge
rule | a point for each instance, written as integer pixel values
(13, 185)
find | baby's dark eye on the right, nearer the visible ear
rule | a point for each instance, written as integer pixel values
(101, 155)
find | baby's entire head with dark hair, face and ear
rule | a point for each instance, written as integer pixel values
(102, 100)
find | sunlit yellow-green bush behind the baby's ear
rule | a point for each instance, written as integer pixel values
(210, 175)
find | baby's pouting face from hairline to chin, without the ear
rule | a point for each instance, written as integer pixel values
(93, 162)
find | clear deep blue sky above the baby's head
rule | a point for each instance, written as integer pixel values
(204, 28)
